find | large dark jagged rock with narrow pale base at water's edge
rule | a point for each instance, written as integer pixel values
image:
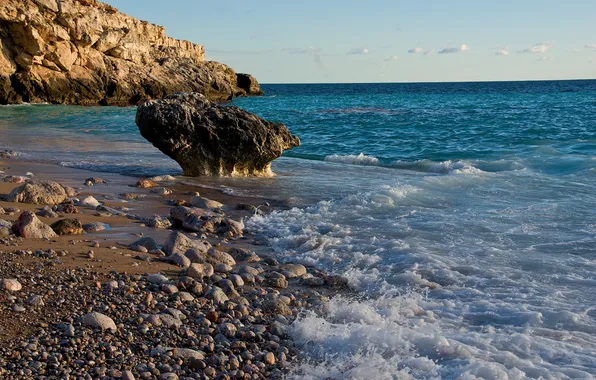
(206, 138)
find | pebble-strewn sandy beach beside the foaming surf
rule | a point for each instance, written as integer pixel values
(115, 279)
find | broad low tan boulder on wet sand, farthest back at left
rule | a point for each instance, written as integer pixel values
(40, 192)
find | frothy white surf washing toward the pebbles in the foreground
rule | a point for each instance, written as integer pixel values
(448, 293)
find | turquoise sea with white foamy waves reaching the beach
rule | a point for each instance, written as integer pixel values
(462, 214)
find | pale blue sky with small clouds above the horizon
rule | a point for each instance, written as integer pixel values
(349, 41)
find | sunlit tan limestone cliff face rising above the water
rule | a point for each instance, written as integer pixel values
(86, 52)
